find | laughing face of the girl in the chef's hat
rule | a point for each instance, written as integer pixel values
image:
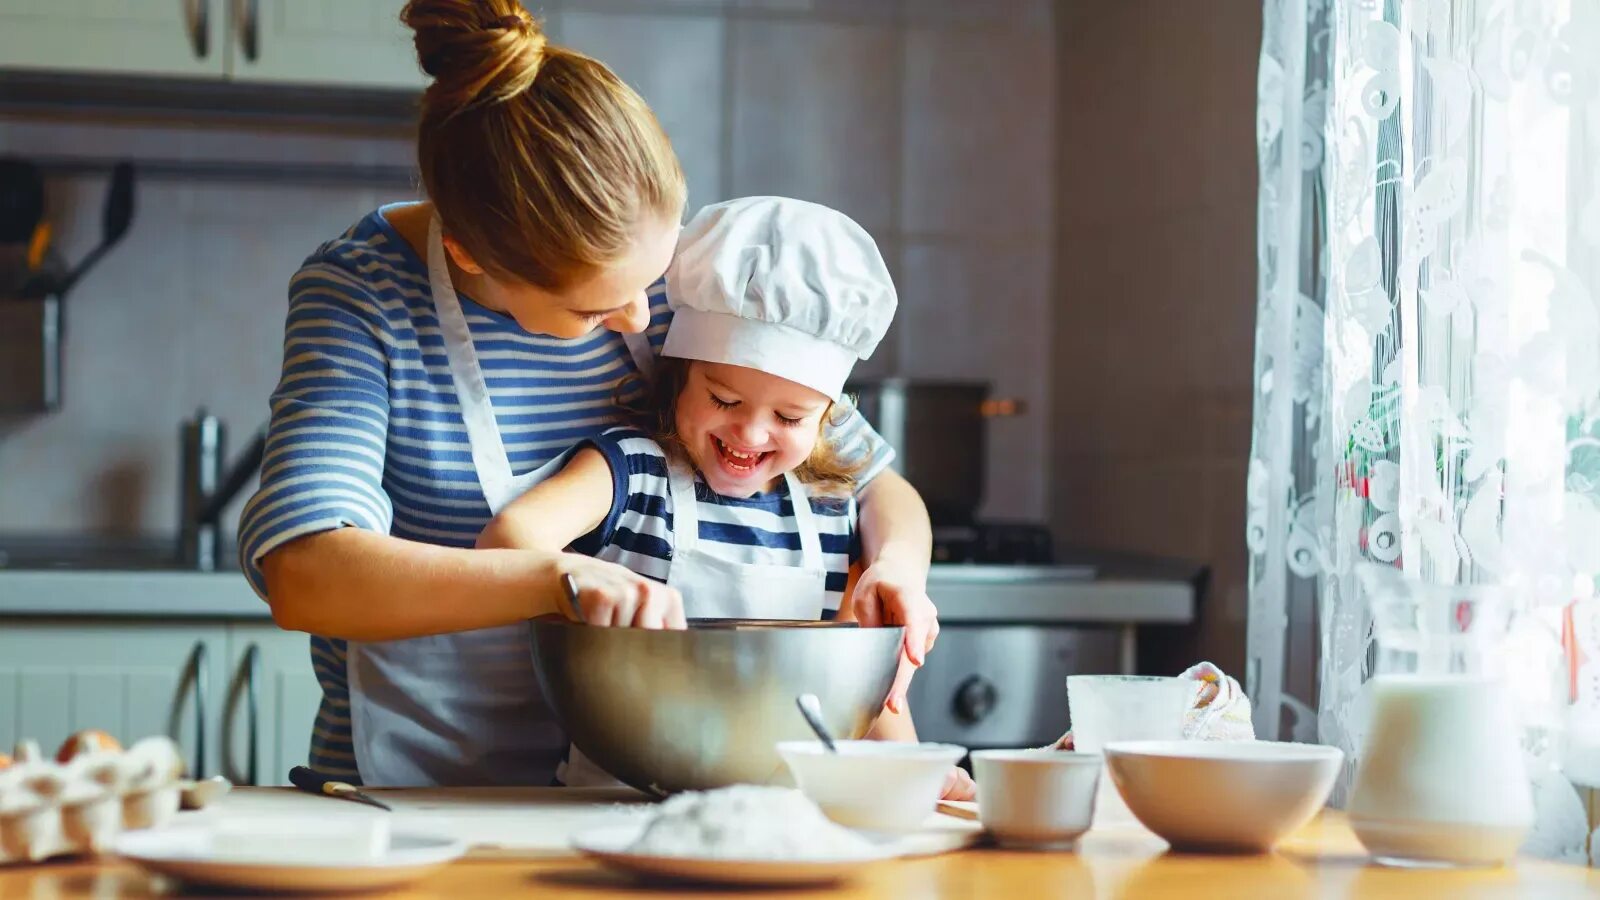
(746, 428)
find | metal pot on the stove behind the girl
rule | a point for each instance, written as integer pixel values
(938, 432)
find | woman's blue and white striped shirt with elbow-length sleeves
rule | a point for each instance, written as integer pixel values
(367, 430)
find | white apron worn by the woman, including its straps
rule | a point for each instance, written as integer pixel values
(462, 709)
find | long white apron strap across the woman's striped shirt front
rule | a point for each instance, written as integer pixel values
(473, 392)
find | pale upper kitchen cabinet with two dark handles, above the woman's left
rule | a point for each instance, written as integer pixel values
(358, 44)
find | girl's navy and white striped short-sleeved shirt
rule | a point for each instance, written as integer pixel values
(756, 529)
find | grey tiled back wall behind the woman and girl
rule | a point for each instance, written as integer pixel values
(929, 121)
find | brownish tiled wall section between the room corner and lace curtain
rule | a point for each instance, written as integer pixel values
(1156, 292)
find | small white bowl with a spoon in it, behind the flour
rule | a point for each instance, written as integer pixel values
(873, 785)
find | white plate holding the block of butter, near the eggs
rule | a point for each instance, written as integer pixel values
(185, 853)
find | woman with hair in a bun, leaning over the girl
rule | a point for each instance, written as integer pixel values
(409, 414)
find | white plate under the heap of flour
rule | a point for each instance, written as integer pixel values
(610, 846)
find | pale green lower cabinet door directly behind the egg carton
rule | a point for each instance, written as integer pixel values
(124, 678)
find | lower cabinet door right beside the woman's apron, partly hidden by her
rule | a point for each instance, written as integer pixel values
(271, 704)
